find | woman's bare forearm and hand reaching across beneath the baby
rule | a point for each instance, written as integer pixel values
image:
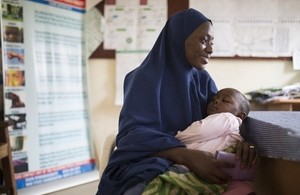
(203, 164)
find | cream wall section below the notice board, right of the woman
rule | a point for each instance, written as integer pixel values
(250, 75)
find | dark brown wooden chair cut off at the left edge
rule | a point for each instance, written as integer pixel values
(9, 184)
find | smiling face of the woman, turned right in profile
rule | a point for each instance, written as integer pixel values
(198, 46)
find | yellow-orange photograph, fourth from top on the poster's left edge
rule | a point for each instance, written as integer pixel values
(14, 78)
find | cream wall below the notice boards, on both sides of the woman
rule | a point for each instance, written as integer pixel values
(246, 75)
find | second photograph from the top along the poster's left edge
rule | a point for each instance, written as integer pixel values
(13, 34)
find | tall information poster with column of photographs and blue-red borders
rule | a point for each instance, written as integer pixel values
(45, 89)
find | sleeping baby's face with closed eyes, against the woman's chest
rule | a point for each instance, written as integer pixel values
(226, 100)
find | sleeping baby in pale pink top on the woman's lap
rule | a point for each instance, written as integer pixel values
(220, 129)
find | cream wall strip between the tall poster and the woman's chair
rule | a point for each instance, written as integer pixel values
(104, 114)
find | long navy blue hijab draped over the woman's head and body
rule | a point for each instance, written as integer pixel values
(163, 95)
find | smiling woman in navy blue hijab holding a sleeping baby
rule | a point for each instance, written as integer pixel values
(161, 96)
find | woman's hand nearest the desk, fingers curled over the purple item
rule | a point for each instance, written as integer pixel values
(247, 153)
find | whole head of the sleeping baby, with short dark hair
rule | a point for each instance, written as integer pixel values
(229, 100)
